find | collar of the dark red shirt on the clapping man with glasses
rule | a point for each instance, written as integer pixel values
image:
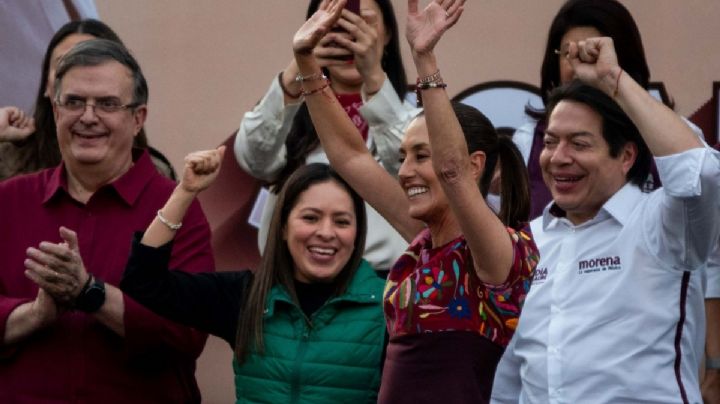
(128, 186)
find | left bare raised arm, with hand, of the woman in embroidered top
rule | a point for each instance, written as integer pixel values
(342, 143)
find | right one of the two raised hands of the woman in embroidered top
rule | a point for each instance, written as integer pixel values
(425, 28)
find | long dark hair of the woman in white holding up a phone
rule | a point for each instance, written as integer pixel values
(303, 138)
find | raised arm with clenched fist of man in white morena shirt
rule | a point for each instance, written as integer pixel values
(687, 227)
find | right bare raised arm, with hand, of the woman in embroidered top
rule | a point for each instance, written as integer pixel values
(458, 171)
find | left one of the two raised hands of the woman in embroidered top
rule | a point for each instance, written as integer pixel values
(308, 36)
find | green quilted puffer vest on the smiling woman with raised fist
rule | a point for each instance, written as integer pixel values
(333, 359)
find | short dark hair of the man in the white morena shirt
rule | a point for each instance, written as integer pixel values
(617, 128)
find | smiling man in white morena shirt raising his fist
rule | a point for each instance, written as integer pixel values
(615, 311)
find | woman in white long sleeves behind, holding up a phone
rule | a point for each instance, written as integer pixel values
(364, 64)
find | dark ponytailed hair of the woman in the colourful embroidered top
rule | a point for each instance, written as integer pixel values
(480, 135)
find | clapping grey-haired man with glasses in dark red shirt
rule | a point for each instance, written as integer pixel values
(66, 332)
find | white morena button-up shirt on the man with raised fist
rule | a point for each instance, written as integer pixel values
(615, 313)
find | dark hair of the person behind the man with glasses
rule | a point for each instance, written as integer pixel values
(40, 150)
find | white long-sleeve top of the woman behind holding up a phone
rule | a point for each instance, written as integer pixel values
(260, 150)
